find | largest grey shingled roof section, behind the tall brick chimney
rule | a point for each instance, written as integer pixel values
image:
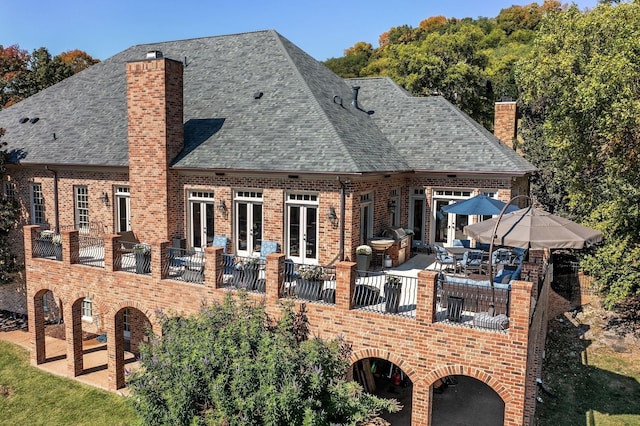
(294, 127)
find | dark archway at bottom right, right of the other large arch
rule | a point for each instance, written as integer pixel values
(465, 400)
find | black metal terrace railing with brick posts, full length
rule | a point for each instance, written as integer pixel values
(399, 293)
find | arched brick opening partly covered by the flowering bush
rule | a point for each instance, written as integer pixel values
(118, 318)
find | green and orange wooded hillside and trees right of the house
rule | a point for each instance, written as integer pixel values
(576, 77)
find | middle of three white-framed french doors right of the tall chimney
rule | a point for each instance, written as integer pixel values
(248, 222)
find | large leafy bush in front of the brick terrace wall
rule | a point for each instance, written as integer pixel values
(232, 364)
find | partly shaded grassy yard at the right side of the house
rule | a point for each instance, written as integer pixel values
(594, 375)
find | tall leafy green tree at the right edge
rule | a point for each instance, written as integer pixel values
(581, 127)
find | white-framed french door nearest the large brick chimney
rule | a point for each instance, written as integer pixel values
(201, 214)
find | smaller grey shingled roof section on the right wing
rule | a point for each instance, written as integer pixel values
(435, 136)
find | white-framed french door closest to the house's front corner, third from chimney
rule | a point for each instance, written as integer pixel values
(302, 228)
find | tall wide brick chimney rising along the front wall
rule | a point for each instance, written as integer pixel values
(156, 137)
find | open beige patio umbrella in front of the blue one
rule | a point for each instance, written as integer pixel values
(533, 228)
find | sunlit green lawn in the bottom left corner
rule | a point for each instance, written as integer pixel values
(31, 396)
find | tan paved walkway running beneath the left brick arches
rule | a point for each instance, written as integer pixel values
(94, 359)
